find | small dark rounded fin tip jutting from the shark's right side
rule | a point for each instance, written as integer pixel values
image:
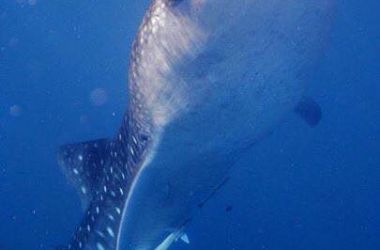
(309, 110)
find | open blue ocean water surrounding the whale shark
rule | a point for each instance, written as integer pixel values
(63, 71)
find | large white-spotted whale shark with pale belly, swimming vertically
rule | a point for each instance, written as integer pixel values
(207, 80)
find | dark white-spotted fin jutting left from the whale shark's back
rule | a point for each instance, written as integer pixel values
(81, 163)
